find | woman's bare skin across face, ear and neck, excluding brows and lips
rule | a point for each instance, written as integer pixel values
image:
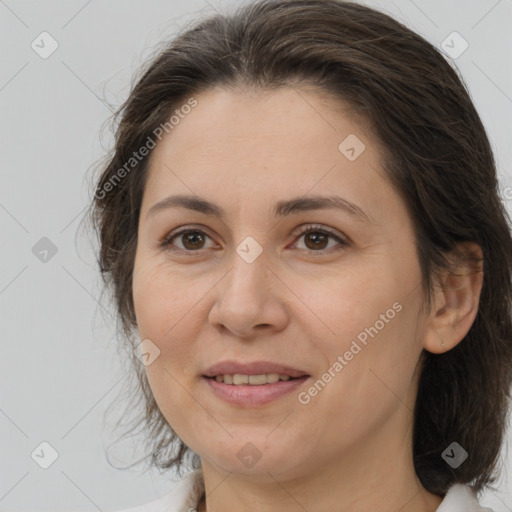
(298, 303)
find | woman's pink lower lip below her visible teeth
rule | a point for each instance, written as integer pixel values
(249, 395)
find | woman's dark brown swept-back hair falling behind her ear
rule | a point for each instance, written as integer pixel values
(435, 153)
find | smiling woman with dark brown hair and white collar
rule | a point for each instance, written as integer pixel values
(302, 230)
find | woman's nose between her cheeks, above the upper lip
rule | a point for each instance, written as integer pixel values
(249, 300)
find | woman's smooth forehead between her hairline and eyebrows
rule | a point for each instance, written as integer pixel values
(241, 147)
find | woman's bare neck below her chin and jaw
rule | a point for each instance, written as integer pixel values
(377, 474)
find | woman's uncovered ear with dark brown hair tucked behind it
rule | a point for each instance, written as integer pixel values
(455, 300)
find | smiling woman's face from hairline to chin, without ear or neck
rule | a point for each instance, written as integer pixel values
(333, 292)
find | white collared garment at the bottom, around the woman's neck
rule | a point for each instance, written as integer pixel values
(186, 496)
